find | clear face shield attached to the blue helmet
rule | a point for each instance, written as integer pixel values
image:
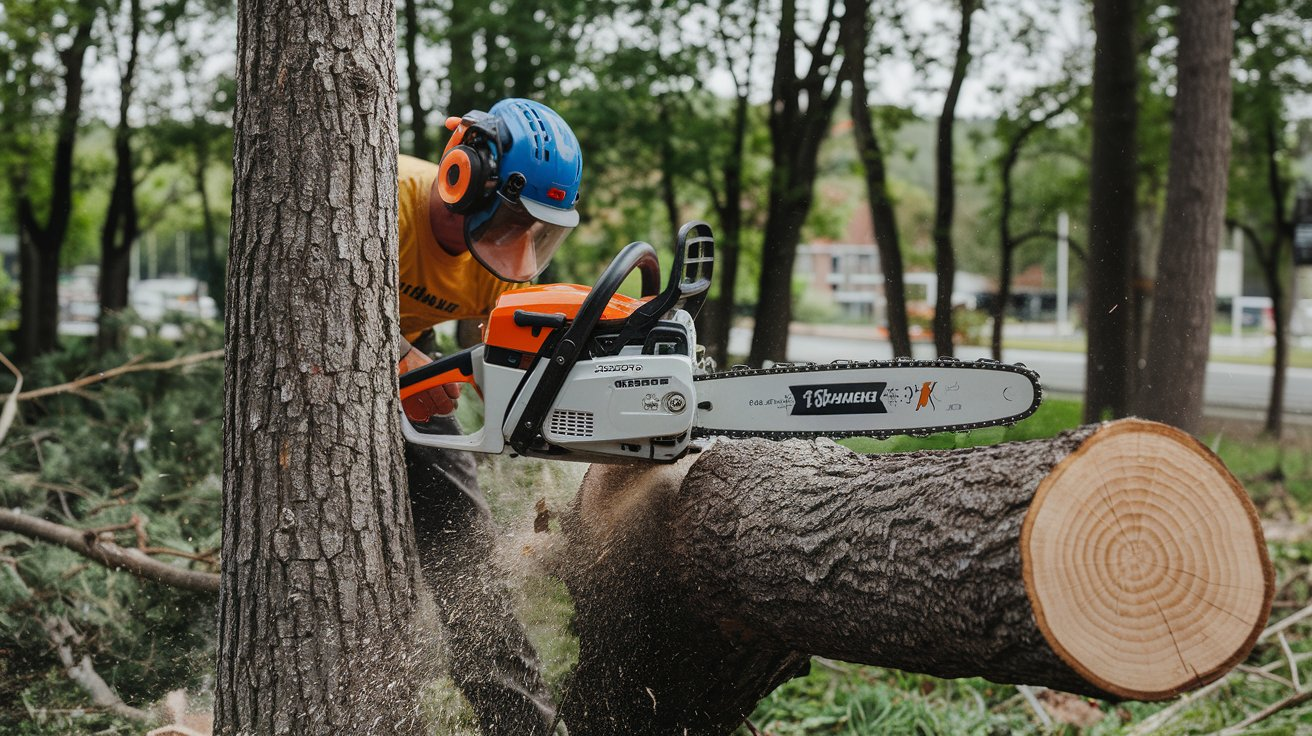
(510, 242)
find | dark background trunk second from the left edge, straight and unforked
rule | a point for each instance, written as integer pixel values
(121, 226)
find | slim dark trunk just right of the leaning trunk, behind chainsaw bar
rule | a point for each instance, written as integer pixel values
(945, 201)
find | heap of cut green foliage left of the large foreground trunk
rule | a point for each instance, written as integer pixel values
(145, 448)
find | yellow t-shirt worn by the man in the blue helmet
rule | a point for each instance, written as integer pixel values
(435, 287)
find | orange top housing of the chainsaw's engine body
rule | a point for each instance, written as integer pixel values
(550, 300)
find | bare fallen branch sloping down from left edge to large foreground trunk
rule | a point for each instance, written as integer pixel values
(110, 554)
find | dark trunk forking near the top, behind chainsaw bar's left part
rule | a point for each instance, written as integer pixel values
(801, 111)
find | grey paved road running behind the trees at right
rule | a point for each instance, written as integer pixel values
(1231, 388)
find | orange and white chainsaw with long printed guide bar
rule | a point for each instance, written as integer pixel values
(588, 375)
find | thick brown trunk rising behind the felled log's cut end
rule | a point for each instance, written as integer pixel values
(1171, 388)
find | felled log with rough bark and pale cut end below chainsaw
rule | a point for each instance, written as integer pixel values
(1117, 561)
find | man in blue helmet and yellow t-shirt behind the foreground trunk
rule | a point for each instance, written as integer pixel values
(485, 220)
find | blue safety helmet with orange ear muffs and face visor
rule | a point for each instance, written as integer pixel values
(514, 174)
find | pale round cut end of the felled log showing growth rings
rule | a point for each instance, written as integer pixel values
(1145, 562)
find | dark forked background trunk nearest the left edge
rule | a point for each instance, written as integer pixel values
(39, 327)
